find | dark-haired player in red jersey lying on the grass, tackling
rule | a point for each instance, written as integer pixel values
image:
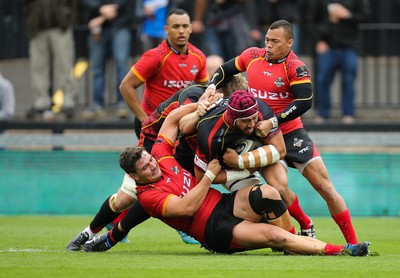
(225, 223)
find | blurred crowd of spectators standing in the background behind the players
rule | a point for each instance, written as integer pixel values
(121, 31)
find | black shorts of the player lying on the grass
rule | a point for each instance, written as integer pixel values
(218, 233)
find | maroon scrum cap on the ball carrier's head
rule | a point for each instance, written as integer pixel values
(241, 105)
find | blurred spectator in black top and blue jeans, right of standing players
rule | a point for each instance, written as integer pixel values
(336, 36)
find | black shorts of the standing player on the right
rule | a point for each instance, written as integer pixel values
(299, 147)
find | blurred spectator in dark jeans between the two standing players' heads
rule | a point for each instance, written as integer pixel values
(226, 27)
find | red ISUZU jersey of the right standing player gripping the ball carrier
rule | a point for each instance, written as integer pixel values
(271, 81)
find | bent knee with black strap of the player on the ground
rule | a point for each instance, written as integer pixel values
(271, 203)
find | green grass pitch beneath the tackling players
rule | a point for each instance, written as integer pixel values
(34, 246)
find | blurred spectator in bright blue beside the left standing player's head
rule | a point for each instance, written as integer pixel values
(154, 14)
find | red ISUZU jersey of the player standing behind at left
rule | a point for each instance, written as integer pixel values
(165, 71)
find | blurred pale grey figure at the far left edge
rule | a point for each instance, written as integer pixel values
(7, 99)
